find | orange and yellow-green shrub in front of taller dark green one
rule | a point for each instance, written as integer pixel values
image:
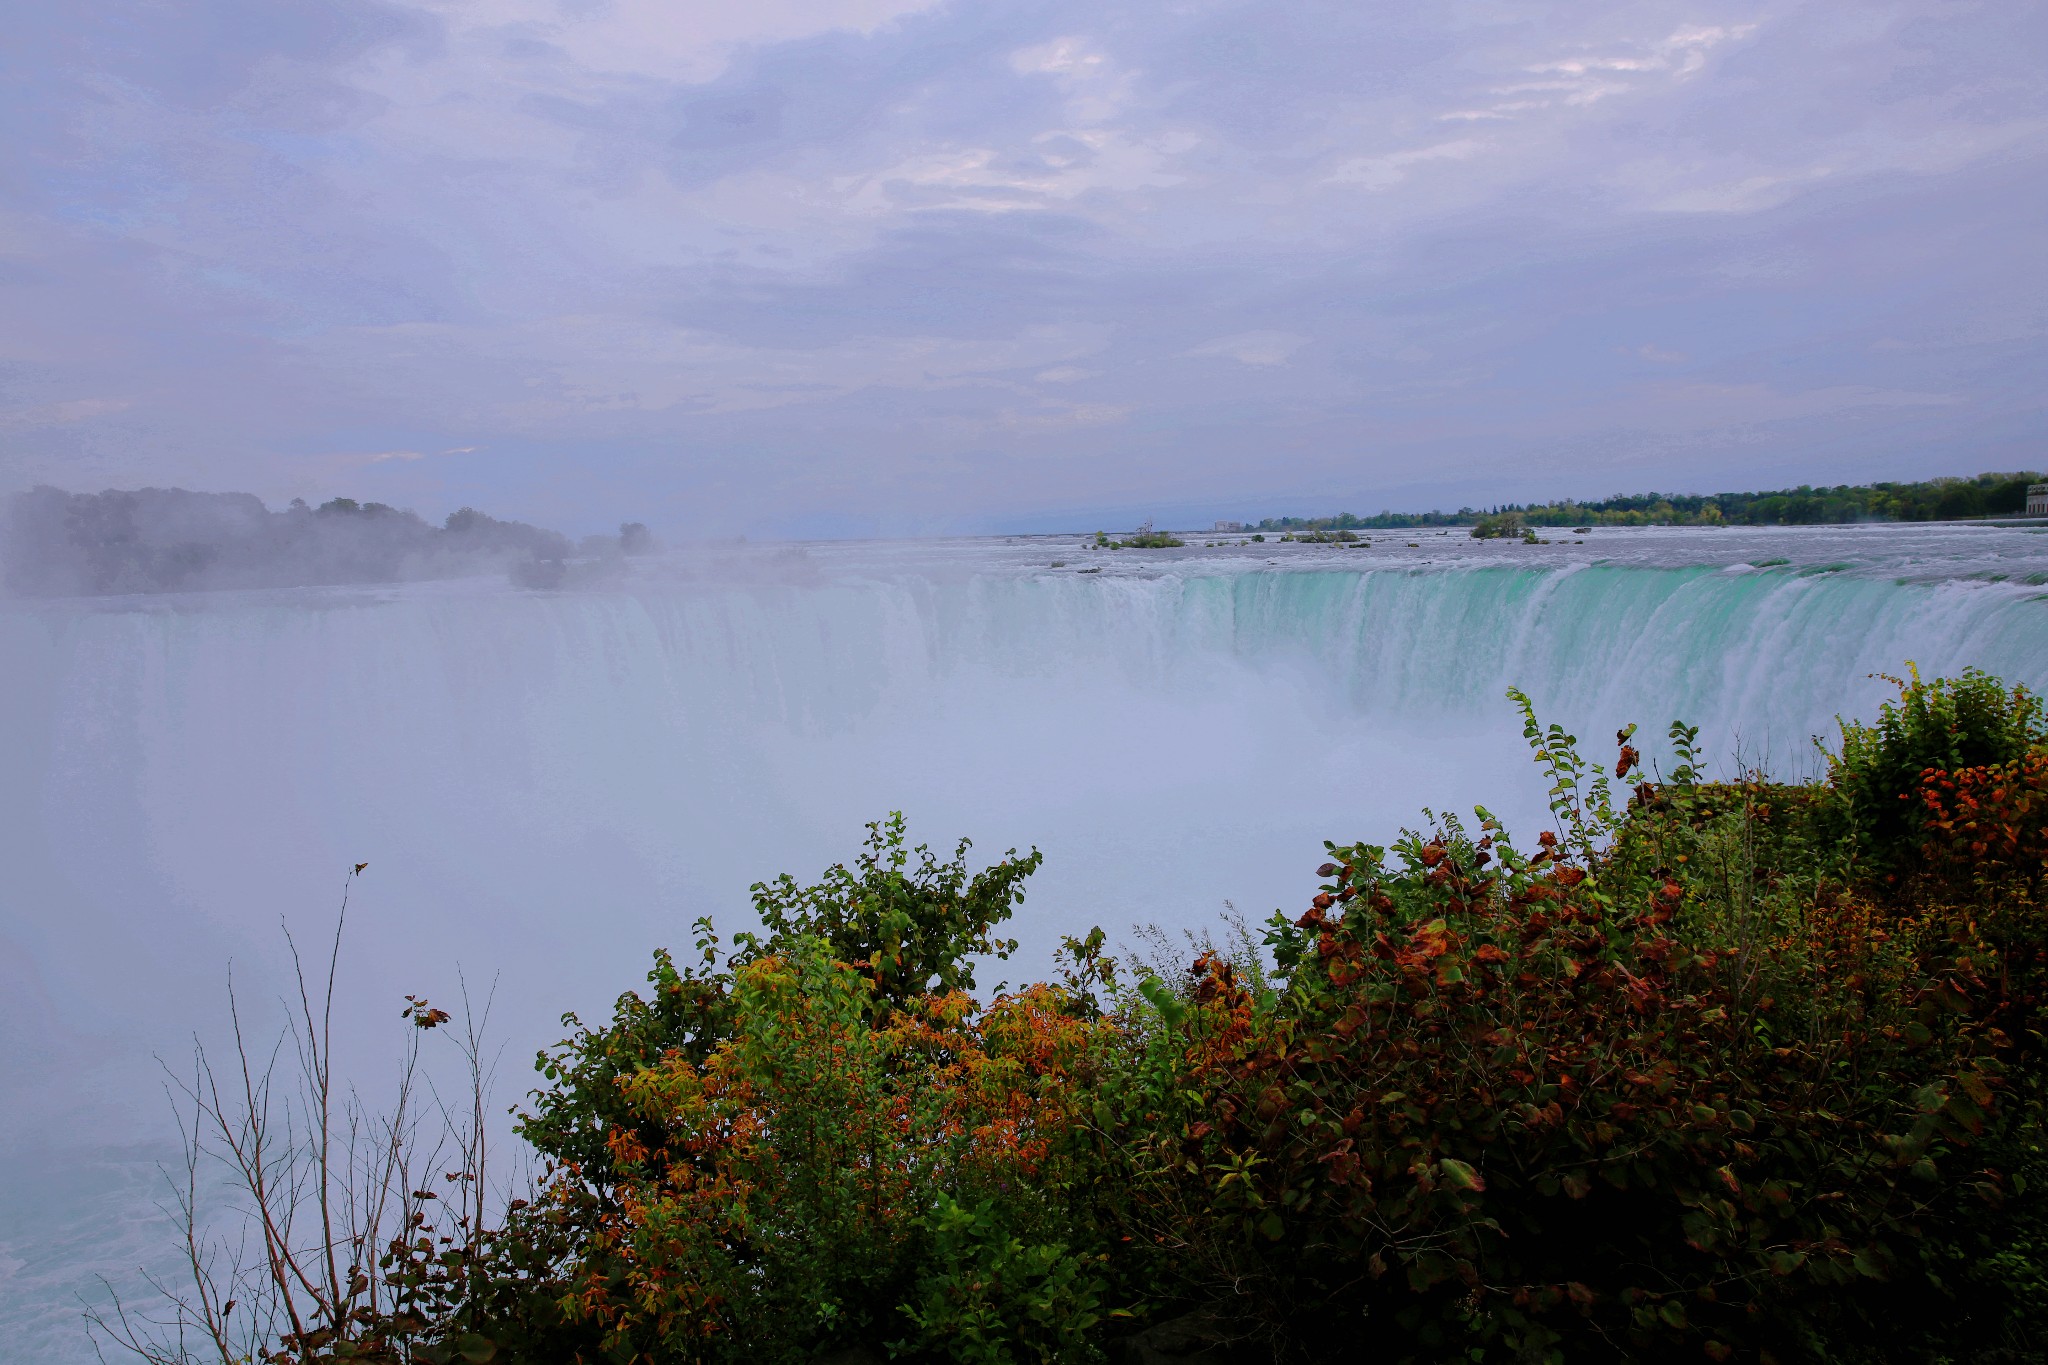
(830, 1174)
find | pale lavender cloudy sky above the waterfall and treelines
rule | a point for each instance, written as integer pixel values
(884, 267)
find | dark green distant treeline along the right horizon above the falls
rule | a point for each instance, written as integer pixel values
(1934, 500)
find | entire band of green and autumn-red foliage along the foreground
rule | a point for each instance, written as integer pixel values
(1707, 1071)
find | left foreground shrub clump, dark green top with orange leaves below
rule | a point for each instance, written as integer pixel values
(818, 1141)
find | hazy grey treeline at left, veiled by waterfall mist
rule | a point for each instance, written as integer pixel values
(142, 541)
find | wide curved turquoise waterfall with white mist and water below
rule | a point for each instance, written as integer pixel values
(552, 785)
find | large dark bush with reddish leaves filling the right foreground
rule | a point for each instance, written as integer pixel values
(1656, 1090)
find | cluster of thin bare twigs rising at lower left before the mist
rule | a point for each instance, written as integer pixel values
(331, 1192)
